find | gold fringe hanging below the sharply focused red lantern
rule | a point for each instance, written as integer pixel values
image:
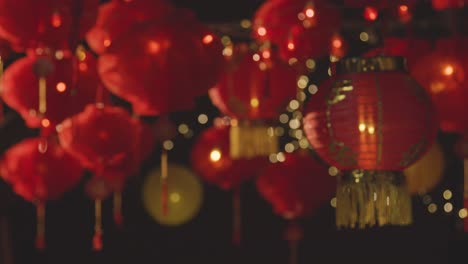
(369, 198)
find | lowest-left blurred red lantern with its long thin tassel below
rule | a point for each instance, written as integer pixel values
(40, 170)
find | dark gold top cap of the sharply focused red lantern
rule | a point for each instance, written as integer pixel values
(371, 64)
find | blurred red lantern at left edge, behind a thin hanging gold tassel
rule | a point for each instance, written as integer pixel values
(71, 84)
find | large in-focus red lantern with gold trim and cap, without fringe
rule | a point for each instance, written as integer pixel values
(352, 122)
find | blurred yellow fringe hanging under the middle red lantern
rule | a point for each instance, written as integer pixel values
(251, 140)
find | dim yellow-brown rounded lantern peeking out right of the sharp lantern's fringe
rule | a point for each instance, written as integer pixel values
(424, 175)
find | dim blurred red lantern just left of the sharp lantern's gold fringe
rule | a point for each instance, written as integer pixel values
(296, 187)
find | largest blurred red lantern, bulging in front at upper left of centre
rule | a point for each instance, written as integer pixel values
(152, 62)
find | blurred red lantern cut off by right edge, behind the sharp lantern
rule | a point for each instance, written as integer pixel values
(444, 74)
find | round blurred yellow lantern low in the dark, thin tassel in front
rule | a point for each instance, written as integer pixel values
(184, 191)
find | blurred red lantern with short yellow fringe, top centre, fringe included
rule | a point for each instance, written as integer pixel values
(254, 89)
